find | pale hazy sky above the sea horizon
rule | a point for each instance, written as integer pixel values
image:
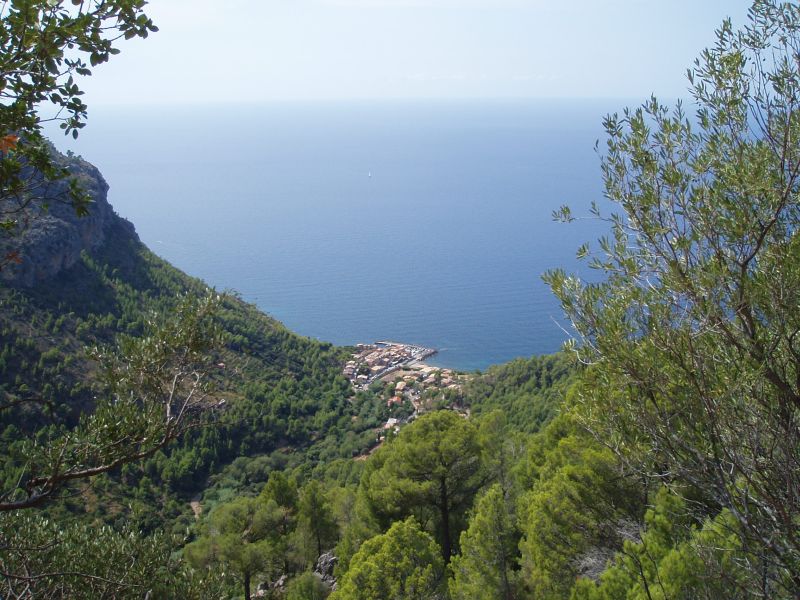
(261, 50)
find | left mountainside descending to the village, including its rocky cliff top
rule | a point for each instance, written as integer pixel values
(83, 282)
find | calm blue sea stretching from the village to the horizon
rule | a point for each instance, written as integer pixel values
(423, 222)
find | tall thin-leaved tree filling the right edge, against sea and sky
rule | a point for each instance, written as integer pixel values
(693, 333)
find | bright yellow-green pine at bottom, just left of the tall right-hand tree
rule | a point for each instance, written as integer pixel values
(577, 507)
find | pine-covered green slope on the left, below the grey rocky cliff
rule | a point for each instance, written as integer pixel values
(270, 393)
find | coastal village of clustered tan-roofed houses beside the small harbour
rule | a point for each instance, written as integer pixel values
(409, 385)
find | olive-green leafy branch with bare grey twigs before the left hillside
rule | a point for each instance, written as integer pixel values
(156, 389)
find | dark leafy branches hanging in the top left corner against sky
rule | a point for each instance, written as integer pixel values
(45, 45)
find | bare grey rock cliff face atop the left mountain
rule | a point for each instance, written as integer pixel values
(55, 238)
